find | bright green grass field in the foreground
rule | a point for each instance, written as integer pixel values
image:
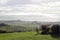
(25, 36)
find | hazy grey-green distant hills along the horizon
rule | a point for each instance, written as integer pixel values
(27, 23)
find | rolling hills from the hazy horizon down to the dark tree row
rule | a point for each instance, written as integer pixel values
(18, 25)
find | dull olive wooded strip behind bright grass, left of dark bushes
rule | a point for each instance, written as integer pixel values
(5, 28)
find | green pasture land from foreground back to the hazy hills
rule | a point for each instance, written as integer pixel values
(26, 32)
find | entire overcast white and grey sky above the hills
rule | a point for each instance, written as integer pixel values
(30, 10)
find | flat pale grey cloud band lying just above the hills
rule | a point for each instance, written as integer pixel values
(28, 18)
